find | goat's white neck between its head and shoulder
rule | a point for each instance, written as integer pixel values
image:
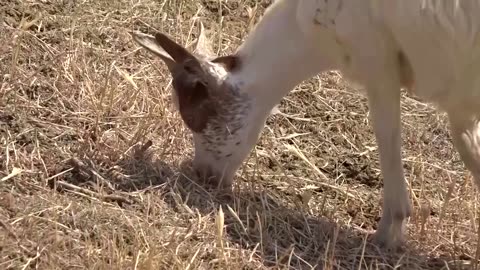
(276, 56)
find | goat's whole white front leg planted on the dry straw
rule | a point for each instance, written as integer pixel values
(384, 105)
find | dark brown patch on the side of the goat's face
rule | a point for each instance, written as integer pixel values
(195, 104)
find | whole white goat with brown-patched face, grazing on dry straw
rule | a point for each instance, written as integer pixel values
(432, 47)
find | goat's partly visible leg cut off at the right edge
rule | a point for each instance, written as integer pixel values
(465, 130)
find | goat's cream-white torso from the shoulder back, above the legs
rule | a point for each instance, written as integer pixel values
(439, 39)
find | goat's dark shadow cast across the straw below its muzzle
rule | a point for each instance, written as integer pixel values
(254, 219)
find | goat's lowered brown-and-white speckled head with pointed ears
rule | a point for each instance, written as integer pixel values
(215, 109)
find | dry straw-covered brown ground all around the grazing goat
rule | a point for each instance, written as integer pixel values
(81, 189)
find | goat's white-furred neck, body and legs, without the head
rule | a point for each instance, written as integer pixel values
(297, 39)
